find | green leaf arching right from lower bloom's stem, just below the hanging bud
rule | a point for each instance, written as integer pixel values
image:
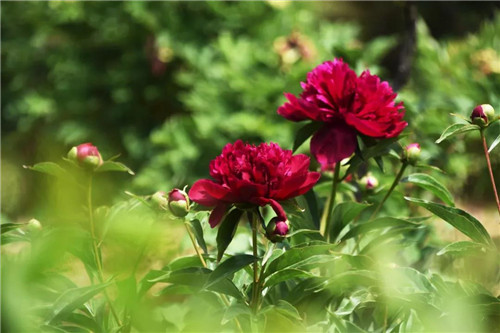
(295, 256)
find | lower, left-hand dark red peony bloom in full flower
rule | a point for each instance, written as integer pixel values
(258, 175)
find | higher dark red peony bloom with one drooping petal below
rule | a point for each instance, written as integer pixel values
(348, 105)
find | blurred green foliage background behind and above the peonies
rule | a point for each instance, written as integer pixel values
(168, 84)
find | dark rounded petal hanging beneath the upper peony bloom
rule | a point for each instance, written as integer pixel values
(333, 143)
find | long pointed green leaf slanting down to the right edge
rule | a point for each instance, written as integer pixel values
(459, 219)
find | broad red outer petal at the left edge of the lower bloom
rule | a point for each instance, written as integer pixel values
(208, 193)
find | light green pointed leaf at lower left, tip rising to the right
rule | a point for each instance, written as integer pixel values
(73, 299)
